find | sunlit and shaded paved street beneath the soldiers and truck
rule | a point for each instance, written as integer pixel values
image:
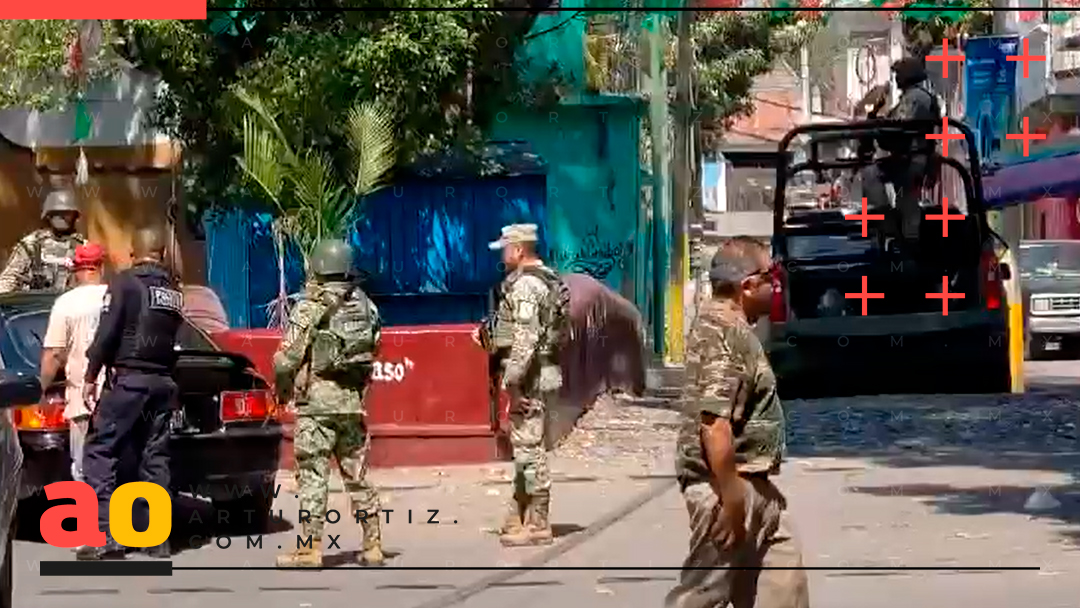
(943, 482)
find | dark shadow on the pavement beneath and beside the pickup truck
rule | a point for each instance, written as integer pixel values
(1037, 431)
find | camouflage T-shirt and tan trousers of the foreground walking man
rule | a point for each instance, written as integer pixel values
(730, 376)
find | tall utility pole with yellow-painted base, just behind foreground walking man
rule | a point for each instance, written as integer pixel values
(681, 200)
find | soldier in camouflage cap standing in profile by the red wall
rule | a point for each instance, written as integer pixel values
(523, 331)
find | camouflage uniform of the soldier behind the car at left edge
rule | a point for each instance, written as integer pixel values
(40, 262)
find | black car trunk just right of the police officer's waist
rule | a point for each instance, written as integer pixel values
(202, 377)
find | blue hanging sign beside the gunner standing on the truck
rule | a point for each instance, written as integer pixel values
(990, 88)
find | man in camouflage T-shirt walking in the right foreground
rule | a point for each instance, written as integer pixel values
(732, 443)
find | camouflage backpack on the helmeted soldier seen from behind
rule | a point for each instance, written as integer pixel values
(344, 346)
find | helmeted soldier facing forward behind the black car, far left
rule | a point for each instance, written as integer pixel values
(42, 260)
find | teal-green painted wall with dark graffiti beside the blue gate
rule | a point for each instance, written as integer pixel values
(591, 143)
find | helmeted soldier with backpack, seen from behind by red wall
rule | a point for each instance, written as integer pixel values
(325, 363)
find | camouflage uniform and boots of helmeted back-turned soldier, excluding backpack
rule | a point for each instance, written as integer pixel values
(330, 423)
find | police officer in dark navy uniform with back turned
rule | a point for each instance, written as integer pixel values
(129, 433)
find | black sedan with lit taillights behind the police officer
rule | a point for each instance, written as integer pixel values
(226, 440)
